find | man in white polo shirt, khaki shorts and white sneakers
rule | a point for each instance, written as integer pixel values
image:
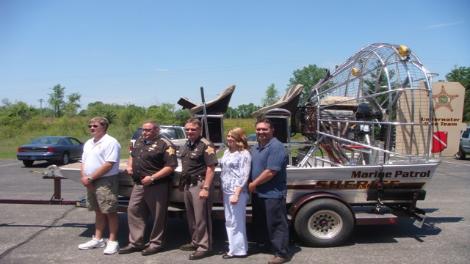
(99, 174)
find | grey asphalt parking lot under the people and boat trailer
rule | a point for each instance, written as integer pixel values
(51, 233)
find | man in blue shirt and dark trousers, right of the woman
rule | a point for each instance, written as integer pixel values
(269, 189)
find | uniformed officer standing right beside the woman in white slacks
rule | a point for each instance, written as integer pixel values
(199, 160)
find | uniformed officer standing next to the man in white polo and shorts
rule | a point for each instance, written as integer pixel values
(151, 162)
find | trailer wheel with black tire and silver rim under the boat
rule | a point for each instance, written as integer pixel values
(324, 222)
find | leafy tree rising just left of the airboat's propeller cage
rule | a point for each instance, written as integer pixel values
(308, 76)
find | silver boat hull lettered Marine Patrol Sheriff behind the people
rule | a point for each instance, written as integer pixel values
(352, 184)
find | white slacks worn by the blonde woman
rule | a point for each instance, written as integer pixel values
(235, 223)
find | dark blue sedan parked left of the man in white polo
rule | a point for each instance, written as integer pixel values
(55, 149)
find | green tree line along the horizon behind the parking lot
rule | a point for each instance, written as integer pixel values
(61, 105)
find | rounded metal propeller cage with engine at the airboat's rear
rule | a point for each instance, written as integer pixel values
(370, 110)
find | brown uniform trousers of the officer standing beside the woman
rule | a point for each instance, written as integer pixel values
(198, 212)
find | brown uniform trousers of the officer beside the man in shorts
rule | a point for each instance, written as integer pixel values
(145, 201)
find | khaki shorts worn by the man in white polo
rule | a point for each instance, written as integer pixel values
(105, 195)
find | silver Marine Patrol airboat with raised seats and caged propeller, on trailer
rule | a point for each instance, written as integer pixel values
(368, 151)
